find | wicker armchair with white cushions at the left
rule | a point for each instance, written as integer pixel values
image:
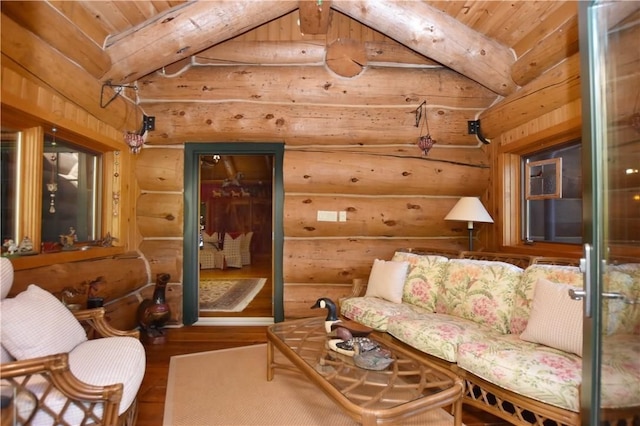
(95, 381)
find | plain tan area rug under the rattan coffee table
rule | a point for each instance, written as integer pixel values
(230, 387)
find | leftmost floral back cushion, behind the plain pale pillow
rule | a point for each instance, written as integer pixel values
(423, 282)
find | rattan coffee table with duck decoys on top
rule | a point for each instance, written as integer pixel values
(409, 386)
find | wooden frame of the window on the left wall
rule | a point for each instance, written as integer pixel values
(30, 195)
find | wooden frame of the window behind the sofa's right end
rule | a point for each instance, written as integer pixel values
(510, 185)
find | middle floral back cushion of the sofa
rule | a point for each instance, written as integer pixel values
(481, 291)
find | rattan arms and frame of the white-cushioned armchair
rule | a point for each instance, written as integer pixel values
(55, 369)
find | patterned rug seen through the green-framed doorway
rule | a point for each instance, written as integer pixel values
(228, 295)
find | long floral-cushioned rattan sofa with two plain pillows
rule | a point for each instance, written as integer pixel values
(508, 326)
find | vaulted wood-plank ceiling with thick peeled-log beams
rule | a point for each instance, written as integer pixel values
(483, 40)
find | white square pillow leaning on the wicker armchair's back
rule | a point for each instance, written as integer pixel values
(35, 323)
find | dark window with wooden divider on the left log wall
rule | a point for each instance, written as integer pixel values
(51, 185)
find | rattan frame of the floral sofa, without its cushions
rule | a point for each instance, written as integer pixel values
(479, 393)
